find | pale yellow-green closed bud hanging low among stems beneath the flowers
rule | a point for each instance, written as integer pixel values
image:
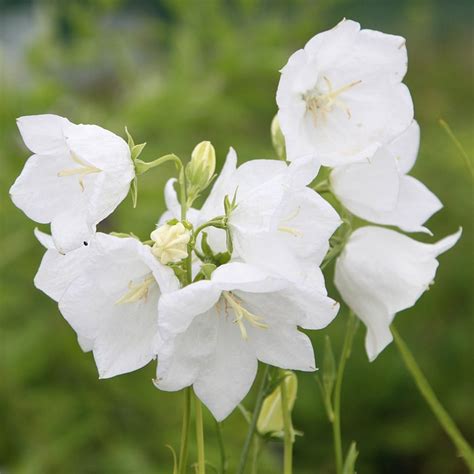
(270, 420)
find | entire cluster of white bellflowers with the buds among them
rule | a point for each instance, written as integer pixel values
(219, 288)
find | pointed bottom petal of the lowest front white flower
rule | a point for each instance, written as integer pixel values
(227, 377)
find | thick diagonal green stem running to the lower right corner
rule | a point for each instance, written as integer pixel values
(438, 410)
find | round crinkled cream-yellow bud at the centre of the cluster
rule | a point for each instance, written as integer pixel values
(171, 243)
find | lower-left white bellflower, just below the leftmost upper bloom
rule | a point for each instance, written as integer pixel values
(108, 292)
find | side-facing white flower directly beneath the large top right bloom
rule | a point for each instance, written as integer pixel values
(378, 190)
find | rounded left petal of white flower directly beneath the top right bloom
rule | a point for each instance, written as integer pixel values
(368, 186)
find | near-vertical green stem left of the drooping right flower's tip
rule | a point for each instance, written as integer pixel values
(336, 422)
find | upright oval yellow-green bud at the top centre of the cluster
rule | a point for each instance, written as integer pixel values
(200, 169)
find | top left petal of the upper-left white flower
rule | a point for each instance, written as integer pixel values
(44, 134)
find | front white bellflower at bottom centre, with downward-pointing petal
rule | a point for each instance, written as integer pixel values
(214, 331)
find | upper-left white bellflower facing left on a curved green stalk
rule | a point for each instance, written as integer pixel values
(77, 176)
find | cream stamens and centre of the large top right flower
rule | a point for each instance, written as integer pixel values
(320, 103)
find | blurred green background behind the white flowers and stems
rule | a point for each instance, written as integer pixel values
(177, 73)
